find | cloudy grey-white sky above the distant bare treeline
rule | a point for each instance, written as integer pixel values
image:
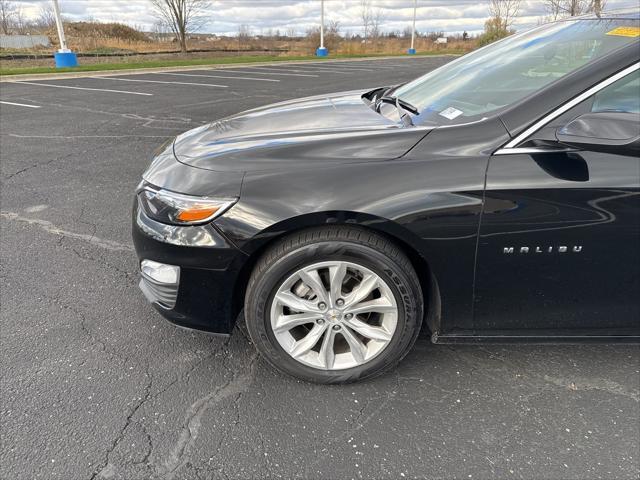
(451, 16)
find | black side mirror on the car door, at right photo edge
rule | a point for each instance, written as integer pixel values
(609, 132)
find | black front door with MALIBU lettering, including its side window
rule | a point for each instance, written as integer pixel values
(559, 244)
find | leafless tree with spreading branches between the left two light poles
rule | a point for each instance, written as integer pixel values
(182, 16)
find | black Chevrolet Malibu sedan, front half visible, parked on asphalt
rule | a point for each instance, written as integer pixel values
(496, 198)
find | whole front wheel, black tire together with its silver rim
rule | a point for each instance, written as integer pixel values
(352, 346)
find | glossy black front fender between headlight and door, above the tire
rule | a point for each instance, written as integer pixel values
(432, 205)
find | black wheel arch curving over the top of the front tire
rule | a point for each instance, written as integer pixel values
(407, 241)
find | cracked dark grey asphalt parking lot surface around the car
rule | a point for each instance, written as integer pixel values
(95, 385)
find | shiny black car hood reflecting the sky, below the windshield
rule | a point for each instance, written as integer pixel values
(336, 128)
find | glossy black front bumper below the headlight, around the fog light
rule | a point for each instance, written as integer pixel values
(203, 297)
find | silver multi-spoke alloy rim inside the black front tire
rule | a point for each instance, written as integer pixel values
(334, 315)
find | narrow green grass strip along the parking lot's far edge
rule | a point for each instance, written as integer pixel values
(194, 62)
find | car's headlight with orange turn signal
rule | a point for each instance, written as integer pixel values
(179, 209)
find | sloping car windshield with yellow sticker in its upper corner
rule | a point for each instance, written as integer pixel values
(494, 77)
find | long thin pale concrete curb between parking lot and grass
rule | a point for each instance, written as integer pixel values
(213, 66)
